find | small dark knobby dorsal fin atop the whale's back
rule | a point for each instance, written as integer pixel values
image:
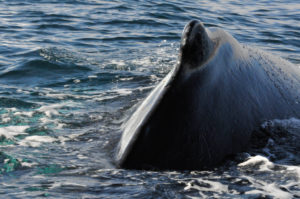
(196, 45)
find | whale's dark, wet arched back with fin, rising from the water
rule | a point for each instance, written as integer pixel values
(207, 107)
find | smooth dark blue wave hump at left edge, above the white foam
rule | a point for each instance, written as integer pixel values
(44, 65)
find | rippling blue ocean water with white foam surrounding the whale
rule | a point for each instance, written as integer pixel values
(72, 71)
